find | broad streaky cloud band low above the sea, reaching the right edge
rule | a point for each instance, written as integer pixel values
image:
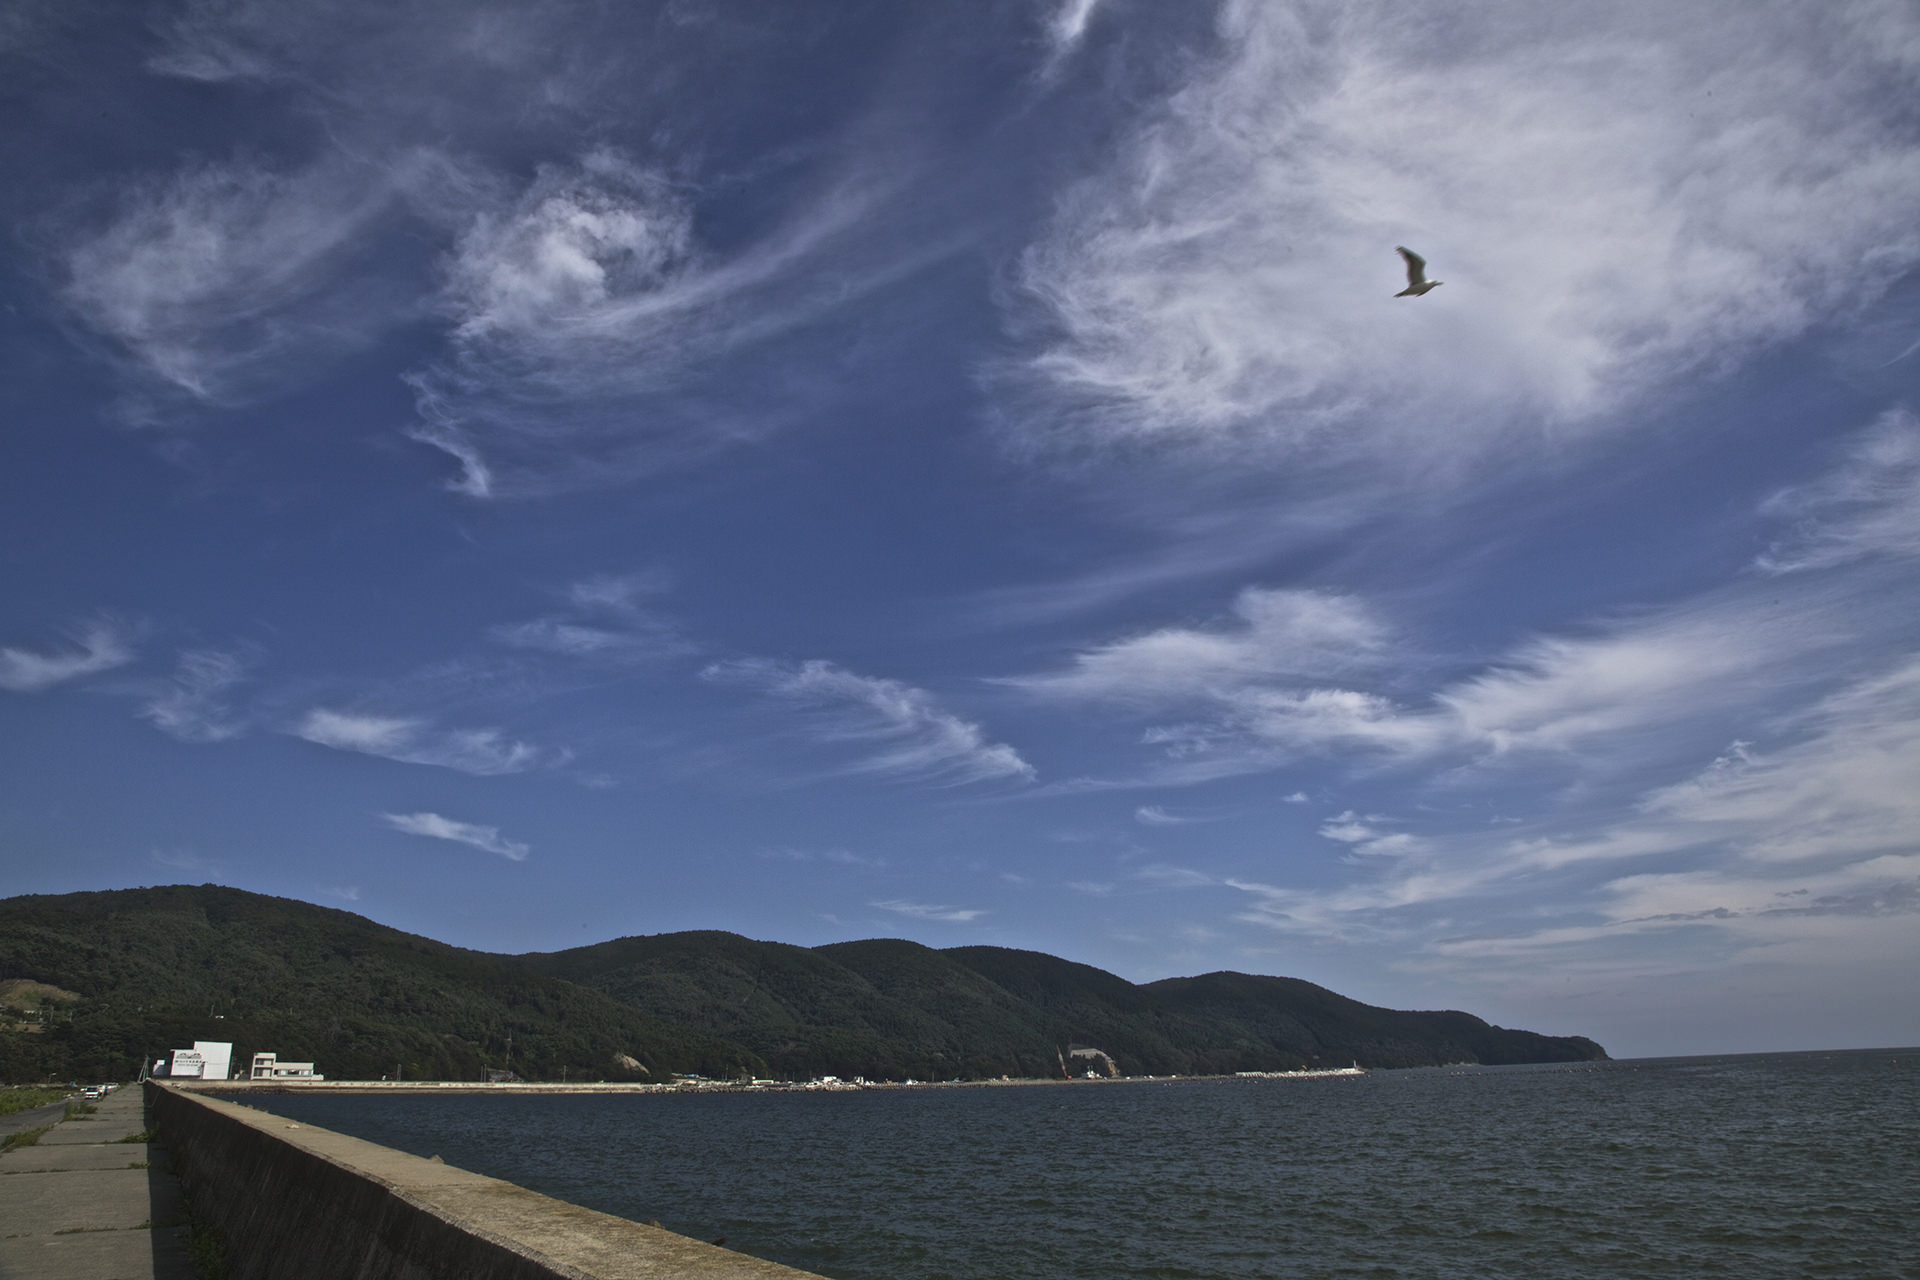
(1817, 826)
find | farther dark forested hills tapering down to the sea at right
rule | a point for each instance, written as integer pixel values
(890, 1008)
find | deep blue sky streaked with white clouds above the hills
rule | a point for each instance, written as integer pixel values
(552, 471)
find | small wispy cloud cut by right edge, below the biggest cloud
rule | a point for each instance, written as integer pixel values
(1867, 506)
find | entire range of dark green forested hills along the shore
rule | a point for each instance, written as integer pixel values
(158, 968)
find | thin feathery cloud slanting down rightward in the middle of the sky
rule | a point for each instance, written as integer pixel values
(907, 732)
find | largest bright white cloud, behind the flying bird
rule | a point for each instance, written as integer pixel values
(1614, 197)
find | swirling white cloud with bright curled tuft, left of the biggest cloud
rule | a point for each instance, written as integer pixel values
(579, 304)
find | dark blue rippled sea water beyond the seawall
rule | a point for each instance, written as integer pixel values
(1760, 1166)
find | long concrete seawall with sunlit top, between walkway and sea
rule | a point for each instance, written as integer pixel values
(295, 1202)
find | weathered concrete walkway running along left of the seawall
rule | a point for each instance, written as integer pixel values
(84, 1204)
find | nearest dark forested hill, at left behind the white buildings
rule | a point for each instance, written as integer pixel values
(160, 968)
